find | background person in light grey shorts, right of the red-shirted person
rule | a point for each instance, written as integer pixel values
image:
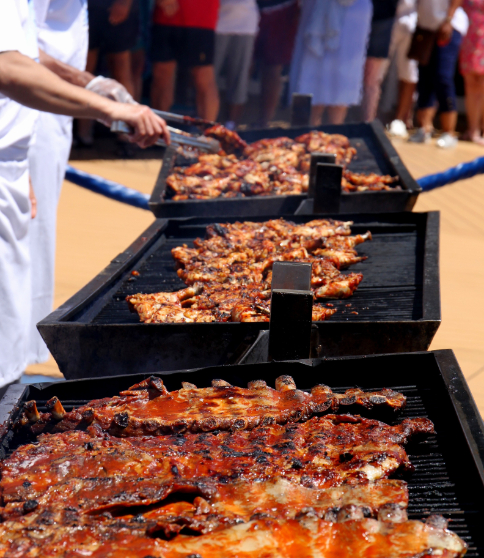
(234, 46)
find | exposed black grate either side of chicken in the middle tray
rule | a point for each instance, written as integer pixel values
(391, 288)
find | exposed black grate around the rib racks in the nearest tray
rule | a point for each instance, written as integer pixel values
(433, 489)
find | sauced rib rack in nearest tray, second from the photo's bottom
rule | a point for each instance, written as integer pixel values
(204, 505)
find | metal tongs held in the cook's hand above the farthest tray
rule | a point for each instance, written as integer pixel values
(178, 137)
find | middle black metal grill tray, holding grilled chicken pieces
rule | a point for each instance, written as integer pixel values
(398, 304)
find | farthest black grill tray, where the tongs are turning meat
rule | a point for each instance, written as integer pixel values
(375, 154)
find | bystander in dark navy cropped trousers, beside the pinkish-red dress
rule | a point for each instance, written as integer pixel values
(436, 79)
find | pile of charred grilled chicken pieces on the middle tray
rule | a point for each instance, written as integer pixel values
(230, 271)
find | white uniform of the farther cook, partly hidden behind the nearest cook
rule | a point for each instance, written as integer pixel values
(62, 27)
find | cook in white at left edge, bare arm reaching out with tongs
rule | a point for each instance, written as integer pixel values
(25, 83)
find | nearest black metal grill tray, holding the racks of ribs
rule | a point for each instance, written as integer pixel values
(449, 475)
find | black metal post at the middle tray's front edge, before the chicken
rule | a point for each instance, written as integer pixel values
(291, 311)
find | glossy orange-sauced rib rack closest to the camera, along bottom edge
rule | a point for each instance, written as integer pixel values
(65, 533)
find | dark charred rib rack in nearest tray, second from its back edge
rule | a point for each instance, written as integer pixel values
(322, 452)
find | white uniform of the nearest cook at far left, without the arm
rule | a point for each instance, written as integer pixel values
(17, 33)
